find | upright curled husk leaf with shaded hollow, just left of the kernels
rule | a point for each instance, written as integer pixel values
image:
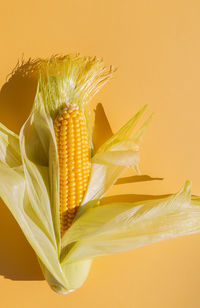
(34, 144)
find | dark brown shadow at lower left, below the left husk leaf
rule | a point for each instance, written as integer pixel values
(17, 259)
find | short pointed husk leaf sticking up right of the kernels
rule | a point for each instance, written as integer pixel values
(113, 157)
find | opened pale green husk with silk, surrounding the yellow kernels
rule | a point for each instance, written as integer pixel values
(29, 176)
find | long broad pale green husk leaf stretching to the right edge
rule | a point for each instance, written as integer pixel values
(119, 227)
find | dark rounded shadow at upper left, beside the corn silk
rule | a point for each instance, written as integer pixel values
(17, 94)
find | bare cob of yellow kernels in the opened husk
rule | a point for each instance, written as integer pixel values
(74, 162)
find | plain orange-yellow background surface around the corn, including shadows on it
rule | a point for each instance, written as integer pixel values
(156, 46)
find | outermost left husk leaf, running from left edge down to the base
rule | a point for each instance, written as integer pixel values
(13, 193)
